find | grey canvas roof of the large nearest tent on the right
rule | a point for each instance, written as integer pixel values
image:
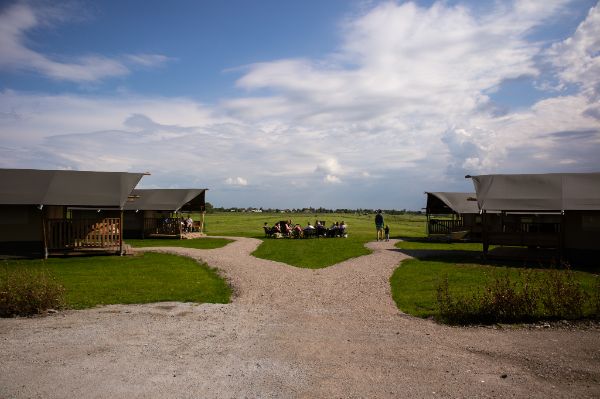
(538, 192)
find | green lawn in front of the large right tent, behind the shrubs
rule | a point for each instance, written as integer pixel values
(414, 284)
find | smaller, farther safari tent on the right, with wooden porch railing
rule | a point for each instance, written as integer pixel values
(453, 214)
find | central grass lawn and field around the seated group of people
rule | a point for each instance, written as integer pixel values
(311, 253)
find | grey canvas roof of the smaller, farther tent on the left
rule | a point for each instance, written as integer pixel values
(162, 199)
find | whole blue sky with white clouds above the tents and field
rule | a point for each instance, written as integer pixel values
(277, 104)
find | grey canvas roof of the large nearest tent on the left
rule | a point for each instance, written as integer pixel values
(66, 187)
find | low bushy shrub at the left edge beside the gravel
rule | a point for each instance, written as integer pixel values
(27, 292)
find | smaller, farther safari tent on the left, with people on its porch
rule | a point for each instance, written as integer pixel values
(158, 212)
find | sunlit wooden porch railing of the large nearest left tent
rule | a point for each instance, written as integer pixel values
(82, 233)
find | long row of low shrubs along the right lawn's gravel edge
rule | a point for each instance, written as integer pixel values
(527, 296)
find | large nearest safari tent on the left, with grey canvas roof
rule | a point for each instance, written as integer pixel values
(44, 212)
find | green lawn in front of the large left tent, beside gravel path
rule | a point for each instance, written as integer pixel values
(147, 278)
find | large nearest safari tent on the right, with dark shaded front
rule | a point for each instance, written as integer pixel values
(555, 210)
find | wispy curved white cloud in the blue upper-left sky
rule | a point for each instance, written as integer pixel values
(20, 18)
